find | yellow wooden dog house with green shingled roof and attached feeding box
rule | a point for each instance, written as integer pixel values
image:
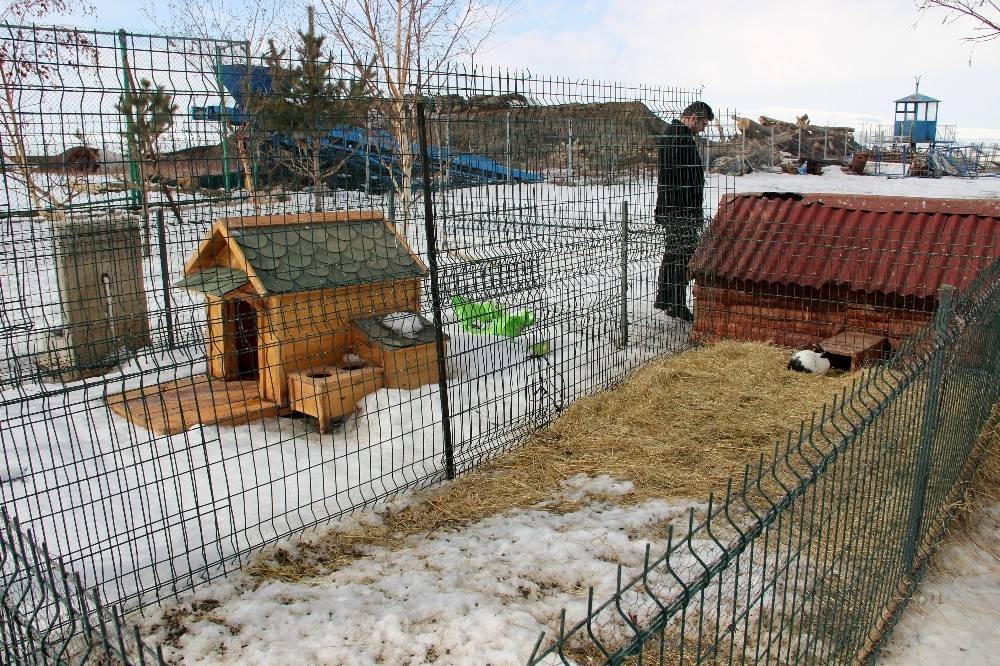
(293, 300)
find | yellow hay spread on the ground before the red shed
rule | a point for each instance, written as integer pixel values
(679, 428)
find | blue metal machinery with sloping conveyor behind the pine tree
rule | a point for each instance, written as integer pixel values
(370, 158)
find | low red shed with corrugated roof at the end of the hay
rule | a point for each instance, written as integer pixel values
(795, 269)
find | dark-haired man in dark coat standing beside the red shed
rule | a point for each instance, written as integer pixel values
(679, 194)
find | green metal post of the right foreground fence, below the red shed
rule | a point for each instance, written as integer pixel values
(932, 404)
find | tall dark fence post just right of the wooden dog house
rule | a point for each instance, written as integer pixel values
(431, 240)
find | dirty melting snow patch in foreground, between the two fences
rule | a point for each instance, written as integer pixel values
(478, 595)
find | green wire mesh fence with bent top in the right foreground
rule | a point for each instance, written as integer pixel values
(810, 556)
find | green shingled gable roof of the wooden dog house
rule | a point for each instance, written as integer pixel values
(289, 258)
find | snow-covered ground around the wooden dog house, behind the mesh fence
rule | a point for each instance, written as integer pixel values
(135, 512)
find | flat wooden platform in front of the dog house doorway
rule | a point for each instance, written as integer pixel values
(176, 406)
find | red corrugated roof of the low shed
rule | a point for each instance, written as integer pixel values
(908, 246)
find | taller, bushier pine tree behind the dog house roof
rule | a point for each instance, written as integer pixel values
(305, 103)
